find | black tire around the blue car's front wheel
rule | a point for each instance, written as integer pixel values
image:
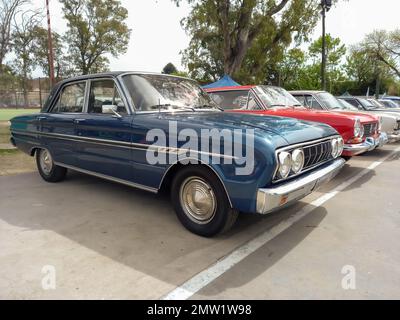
(223, 217)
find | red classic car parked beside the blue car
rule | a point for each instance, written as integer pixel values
(361, 133)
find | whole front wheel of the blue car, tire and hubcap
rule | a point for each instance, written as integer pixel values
(201, 202)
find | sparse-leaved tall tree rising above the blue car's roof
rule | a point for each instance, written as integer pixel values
(96, 28)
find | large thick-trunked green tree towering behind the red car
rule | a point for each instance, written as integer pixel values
(228, 36)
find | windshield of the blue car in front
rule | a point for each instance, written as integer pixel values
(151, 92)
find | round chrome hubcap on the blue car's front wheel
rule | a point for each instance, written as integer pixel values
(198, 200)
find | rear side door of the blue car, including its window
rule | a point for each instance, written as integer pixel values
(57, 126)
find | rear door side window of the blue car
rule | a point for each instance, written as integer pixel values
(72, 99)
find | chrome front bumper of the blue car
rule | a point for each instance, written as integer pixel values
(269, 200)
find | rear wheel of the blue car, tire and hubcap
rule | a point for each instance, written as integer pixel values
(46, 167)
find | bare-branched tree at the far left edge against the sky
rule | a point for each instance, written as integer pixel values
(8, 10)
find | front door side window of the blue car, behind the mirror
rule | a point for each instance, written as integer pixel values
(105, 93)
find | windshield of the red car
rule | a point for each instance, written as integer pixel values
(276, 97)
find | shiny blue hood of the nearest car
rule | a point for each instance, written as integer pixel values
(282, 131)
